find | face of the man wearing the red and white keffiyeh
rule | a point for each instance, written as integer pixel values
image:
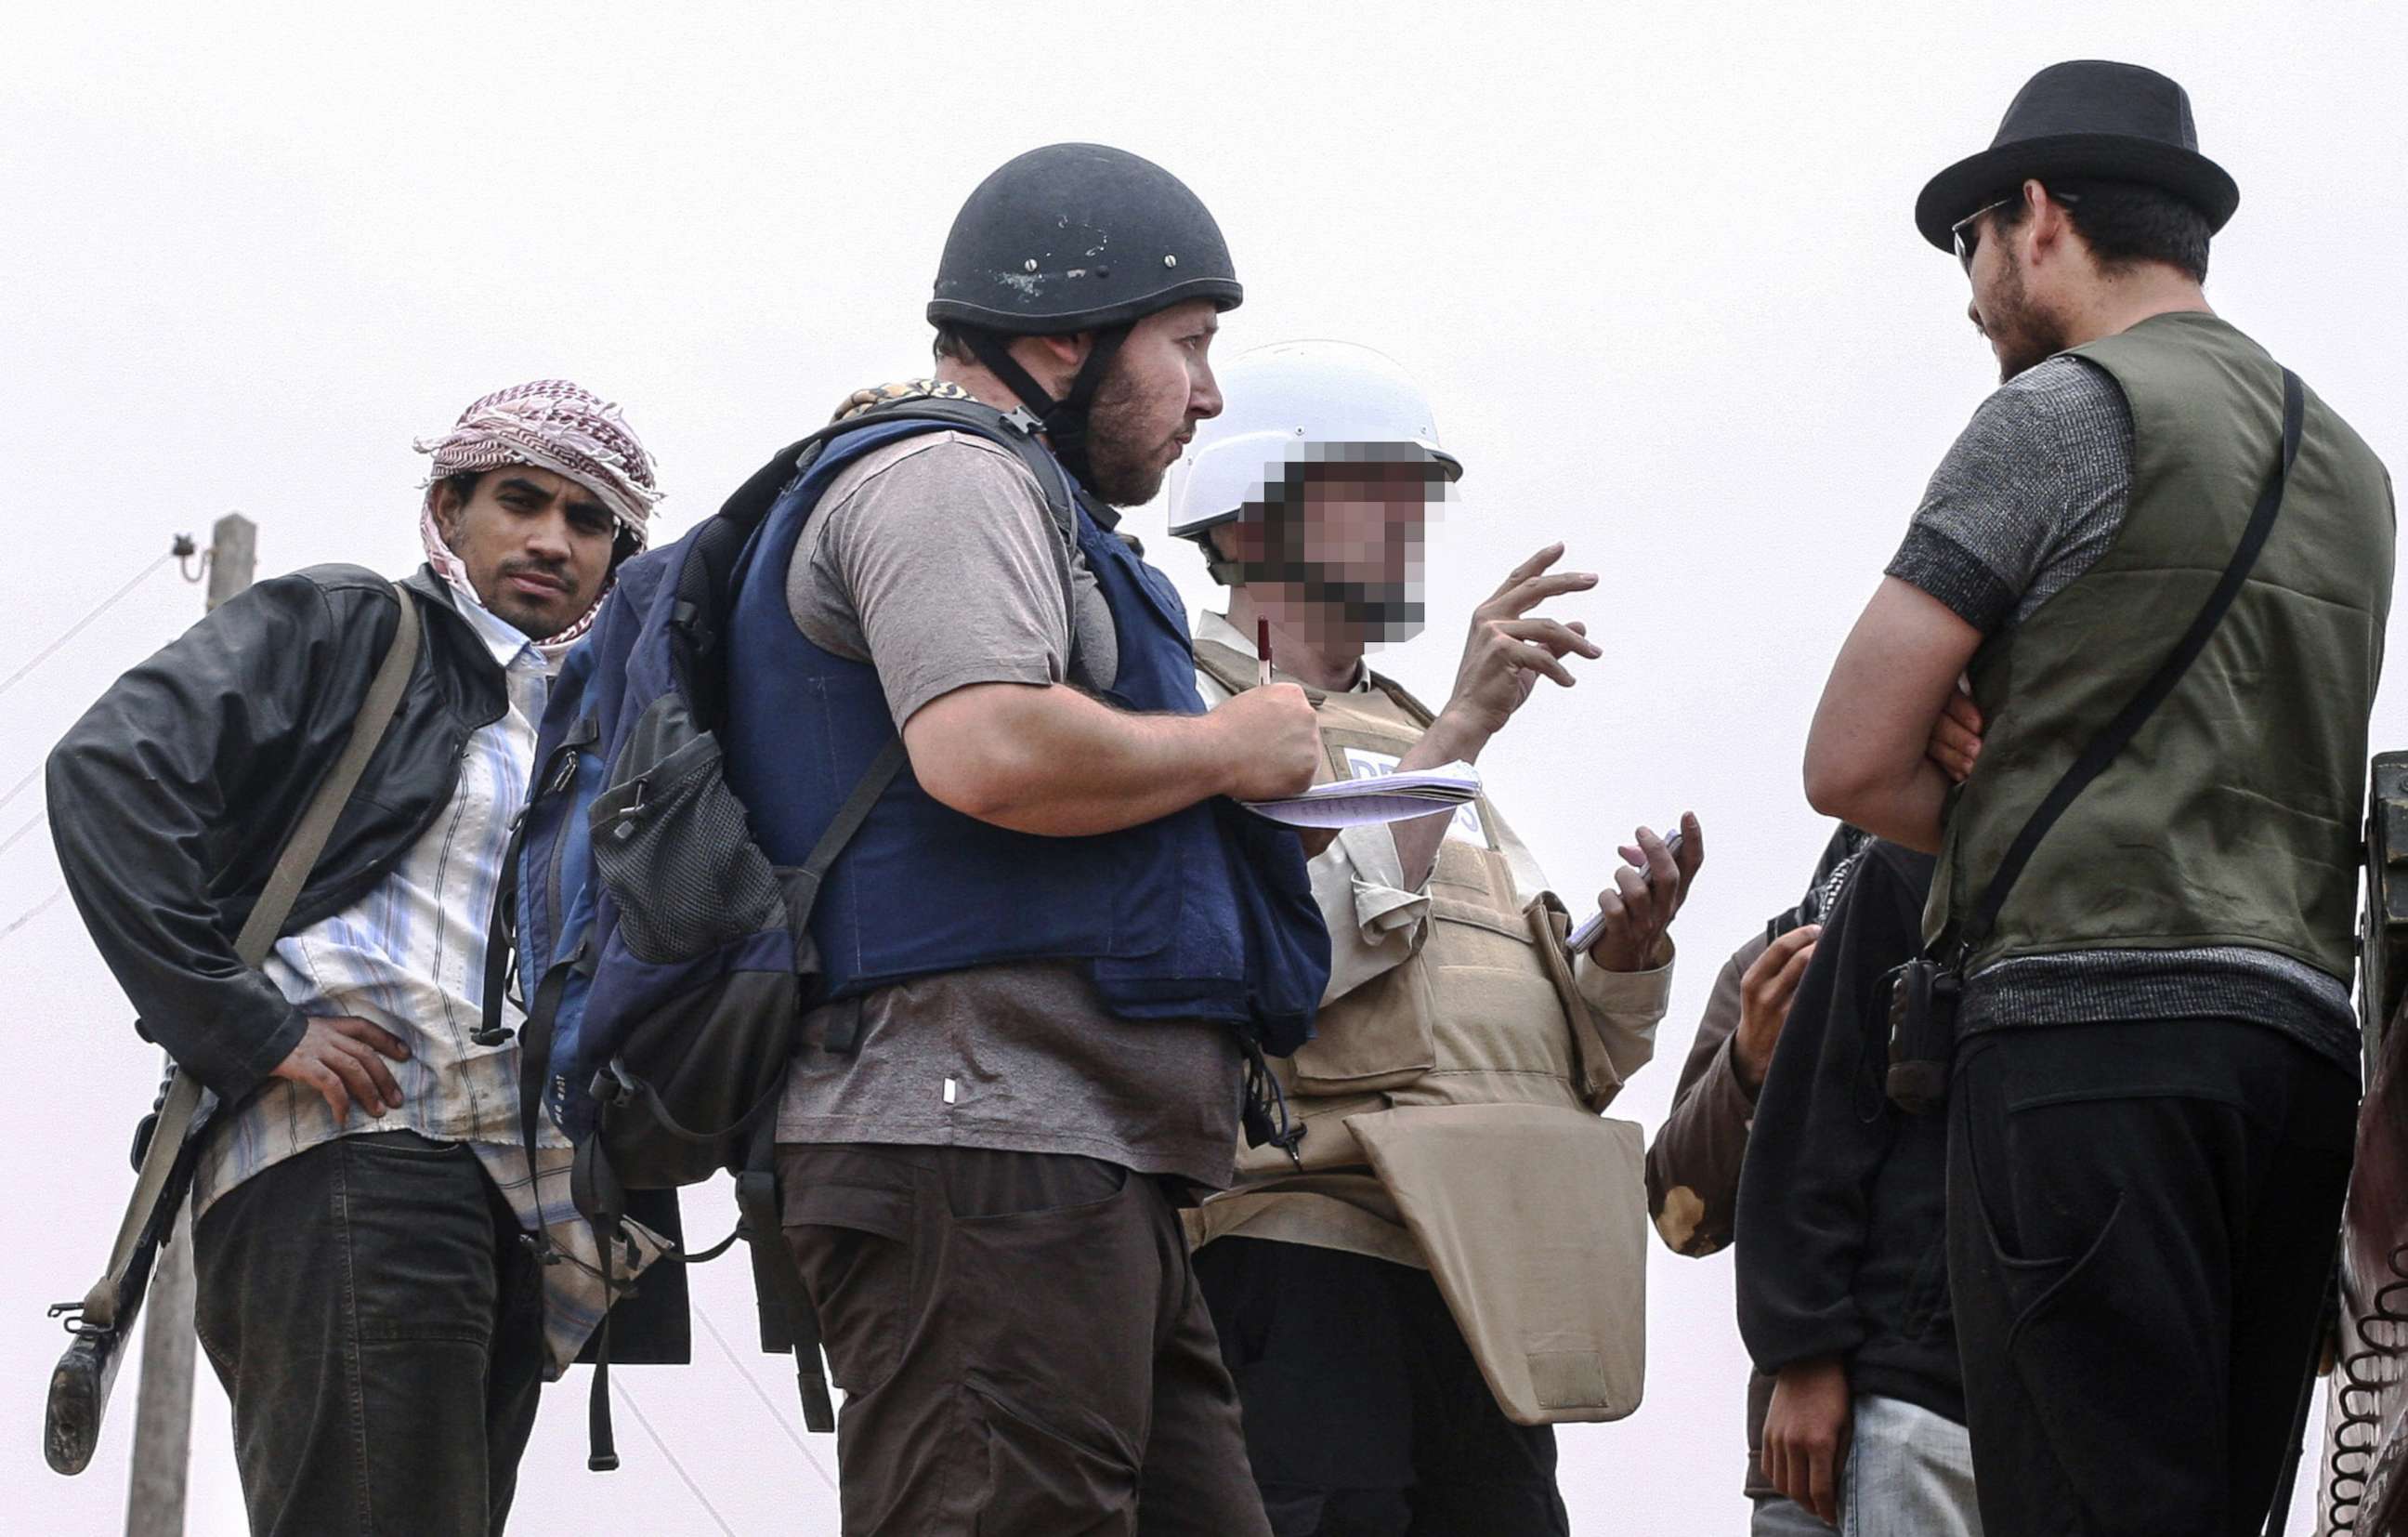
(536, 546)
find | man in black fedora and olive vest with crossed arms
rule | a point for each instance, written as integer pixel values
(2166, 570)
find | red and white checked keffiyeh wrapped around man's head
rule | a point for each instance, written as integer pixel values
(550, 425)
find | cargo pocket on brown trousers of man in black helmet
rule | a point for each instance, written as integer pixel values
(1056, 1473)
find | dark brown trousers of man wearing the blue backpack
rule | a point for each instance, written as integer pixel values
(1022, 1348)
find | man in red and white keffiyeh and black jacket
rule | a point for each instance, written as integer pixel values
(384, 1273)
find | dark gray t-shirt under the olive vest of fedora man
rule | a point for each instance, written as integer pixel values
(2034, 495)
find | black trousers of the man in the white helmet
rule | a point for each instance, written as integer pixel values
(1364, 1408)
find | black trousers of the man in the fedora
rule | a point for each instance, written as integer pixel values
(2140, 1225)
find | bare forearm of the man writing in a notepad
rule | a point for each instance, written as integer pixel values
(1058, 762)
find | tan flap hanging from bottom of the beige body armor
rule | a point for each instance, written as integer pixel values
(1535, 1223)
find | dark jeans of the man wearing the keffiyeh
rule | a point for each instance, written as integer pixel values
(382, 1333)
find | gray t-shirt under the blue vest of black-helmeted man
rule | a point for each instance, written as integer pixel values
(938, 563)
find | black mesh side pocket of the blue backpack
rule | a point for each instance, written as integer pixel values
(675, 849)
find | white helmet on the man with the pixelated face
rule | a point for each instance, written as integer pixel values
(1289, 404)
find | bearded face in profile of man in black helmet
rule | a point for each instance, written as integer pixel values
(1152, 401)
